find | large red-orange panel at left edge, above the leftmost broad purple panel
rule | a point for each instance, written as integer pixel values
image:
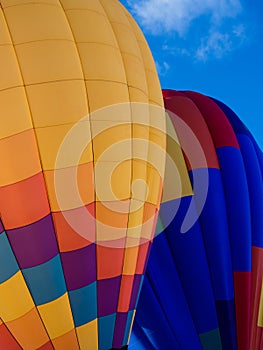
(24, 202)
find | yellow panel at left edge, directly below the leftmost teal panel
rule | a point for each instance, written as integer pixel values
(15, 299)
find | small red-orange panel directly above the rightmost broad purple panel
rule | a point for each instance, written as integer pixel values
(109, 261)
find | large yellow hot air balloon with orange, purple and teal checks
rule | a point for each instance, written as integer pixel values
(76, 79)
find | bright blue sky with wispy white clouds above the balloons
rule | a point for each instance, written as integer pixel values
(211, 46)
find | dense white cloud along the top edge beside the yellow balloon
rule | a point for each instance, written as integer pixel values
(158, 16)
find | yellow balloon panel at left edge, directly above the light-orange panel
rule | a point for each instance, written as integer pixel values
(14, 112)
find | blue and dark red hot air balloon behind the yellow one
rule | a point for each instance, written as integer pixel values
(203, 283)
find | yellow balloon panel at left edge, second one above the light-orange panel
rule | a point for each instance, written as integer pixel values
(9, 70)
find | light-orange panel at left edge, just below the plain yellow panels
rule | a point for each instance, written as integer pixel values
(16, 165)
